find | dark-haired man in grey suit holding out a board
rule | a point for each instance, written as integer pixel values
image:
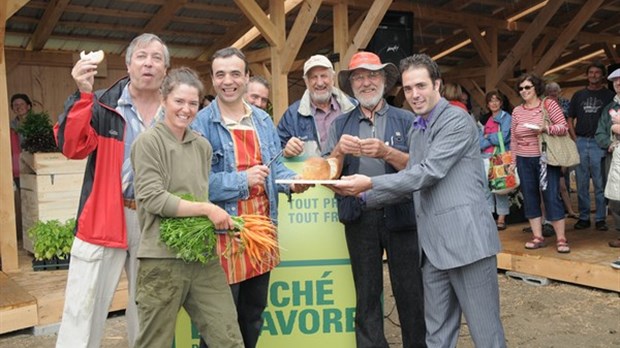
(457, 235)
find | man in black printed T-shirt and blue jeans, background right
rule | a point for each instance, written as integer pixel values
(584, 113)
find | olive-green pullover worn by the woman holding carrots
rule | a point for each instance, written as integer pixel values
(164, 168)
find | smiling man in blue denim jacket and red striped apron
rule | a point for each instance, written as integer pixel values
(244, 139)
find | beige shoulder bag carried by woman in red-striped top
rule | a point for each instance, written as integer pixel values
(561, 150)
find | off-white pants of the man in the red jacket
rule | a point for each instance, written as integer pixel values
(93, 277)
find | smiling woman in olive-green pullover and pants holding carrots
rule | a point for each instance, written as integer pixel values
(170, 159)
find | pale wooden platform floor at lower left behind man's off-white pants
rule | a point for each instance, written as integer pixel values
(48, 290)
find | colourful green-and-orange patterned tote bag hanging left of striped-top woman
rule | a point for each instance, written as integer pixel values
(501, 180)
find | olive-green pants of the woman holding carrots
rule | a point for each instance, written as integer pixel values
(166, 285)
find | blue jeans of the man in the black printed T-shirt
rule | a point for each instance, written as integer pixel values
(590, 156)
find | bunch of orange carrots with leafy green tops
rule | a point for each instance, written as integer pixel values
(193, 238)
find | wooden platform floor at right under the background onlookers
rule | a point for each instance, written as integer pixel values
(587, 263)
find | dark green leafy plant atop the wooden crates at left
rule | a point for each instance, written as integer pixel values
(37, 133)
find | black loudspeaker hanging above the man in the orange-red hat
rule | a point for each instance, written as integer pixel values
(393, 39)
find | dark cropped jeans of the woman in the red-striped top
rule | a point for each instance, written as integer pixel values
(529, 172)
